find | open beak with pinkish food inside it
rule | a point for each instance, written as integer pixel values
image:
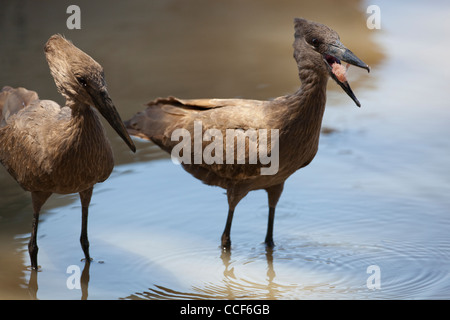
(336, 53)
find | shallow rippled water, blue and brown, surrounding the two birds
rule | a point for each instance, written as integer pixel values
(376, 193)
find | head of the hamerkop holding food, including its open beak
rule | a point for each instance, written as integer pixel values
(320, 46)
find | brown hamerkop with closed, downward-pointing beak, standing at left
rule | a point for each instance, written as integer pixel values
(48, 149)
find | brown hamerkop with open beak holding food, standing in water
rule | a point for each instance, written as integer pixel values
(298, 118)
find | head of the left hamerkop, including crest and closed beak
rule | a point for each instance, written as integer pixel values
(80, 79)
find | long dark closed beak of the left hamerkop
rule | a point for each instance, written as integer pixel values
(107, 109)
